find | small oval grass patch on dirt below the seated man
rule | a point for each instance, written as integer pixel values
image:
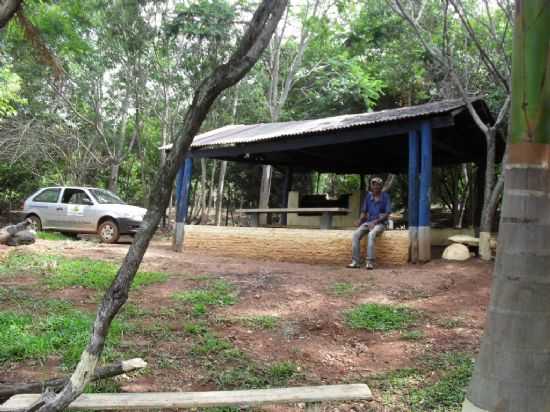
(376, 317)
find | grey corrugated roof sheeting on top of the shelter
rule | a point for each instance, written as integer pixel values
(240, 134)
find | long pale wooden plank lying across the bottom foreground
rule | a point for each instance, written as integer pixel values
(151, 400)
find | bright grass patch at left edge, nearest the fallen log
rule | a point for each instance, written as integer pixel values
(27, 336)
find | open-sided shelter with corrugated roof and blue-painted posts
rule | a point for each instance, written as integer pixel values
(405, 140)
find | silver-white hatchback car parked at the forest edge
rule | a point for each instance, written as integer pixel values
(76, 210)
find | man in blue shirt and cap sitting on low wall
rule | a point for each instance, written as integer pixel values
(374, 215)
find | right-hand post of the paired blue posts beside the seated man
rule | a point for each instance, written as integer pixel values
(424, 221)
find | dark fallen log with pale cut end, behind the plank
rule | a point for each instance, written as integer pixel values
(114, 369)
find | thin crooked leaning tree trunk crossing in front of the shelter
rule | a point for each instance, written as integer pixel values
(249, 49)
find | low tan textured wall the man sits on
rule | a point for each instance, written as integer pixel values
(292, 245)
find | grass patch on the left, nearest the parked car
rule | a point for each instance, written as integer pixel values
(61, 272)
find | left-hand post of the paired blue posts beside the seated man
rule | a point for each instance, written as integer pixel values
(413, 193)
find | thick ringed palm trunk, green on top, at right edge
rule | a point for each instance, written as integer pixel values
(512, 371)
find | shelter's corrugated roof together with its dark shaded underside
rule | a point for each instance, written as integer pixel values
(361, 143)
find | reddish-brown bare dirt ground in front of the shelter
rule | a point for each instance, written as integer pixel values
(312, 333)
